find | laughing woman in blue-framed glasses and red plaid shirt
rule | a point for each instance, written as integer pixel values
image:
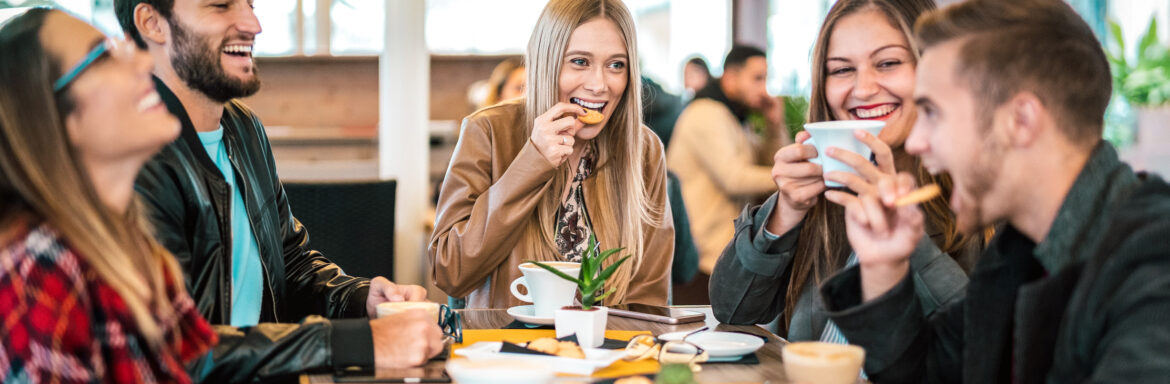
(87, 294)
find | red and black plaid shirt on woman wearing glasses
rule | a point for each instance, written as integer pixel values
(64, 325)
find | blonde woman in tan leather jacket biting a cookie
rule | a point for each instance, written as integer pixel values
(534, 179)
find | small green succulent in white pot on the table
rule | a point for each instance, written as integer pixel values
(588, 321)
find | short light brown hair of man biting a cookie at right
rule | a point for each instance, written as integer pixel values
(1038, 46)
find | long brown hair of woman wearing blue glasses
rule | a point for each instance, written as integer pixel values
(43, 179)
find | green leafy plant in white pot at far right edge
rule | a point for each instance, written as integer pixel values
(1144, 83)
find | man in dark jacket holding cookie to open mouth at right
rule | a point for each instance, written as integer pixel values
(1076, 287)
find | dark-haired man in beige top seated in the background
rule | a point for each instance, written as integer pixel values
(715, 150)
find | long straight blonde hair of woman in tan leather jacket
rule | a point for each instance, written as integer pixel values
(624, 202)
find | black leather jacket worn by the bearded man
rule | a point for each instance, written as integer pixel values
(189, 203)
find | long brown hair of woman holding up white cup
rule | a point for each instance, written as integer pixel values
(823, 246)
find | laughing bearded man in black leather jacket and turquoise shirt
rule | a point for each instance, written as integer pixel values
(306, 316)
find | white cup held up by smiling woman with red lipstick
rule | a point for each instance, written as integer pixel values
(839, 134)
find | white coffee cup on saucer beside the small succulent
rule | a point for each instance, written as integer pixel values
(546, 291)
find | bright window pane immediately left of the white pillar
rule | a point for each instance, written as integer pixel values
(357, 28)
